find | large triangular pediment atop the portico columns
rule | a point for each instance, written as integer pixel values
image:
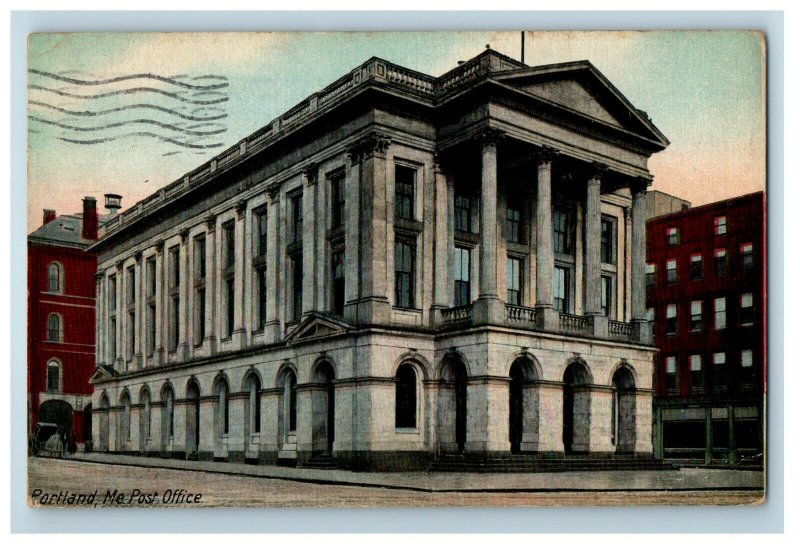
(579, 87)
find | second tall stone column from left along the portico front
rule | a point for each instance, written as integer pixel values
(548, 318)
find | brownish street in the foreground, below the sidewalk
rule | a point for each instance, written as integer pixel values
(54, 481)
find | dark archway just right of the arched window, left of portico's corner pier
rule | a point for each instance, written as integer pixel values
(452, 405)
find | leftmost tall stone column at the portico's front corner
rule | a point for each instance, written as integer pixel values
(489, 308)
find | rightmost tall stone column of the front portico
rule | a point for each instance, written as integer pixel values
(638, 256)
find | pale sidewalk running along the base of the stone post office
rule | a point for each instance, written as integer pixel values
(687, 479)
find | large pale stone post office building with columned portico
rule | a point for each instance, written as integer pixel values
(399, 267)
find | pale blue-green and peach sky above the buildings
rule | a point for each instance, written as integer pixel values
(131, 133)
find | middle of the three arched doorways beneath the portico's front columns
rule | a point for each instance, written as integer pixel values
(577, 413)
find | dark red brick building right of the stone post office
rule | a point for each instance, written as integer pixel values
(706, 296)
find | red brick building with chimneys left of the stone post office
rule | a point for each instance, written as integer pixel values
(61, 319)
